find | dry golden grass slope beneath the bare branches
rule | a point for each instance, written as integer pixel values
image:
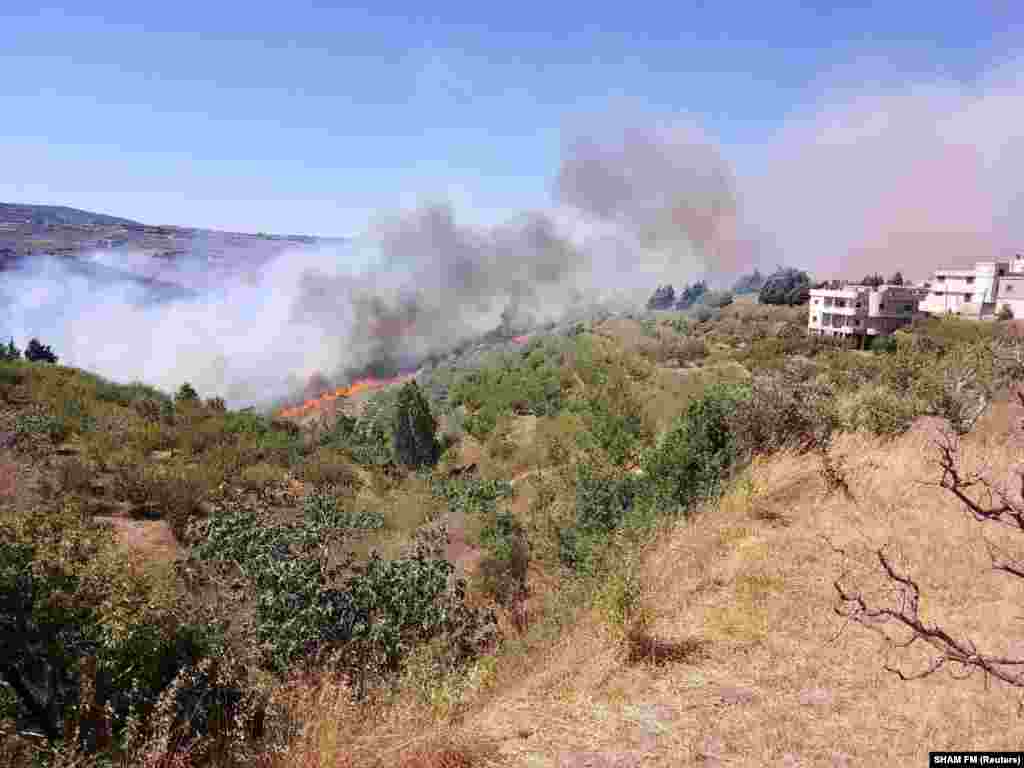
(752, 601)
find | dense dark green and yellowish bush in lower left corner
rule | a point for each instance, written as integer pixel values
(68, 595)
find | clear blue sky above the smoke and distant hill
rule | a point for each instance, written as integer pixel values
(313, 117)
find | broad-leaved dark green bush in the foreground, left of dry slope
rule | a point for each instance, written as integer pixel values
(370, 620)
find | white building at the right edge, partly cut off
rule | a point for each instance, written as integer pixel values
(979, 292)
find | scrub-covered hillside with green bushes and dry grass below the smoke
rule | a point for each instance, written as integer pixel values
(659, 537)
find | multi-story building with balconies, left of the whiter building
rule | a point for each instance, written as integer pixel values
(860, 312)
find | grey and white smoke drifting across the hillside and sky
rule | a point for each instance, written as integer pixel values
(910, 178)
